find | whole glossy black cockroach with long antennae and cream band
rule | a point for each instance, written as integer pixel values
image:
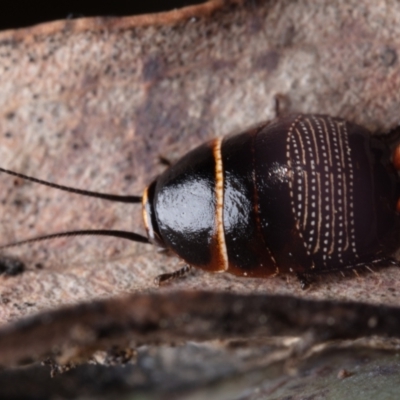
(303, 194)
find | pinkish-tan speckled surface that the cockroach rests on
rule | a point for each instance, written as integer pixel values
(93, 103)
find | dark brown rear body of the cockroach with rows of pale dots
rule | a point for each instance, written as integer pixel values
(326, 197)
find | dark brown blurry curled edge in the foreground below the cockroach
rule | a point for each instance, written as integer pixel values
(189, 316)
